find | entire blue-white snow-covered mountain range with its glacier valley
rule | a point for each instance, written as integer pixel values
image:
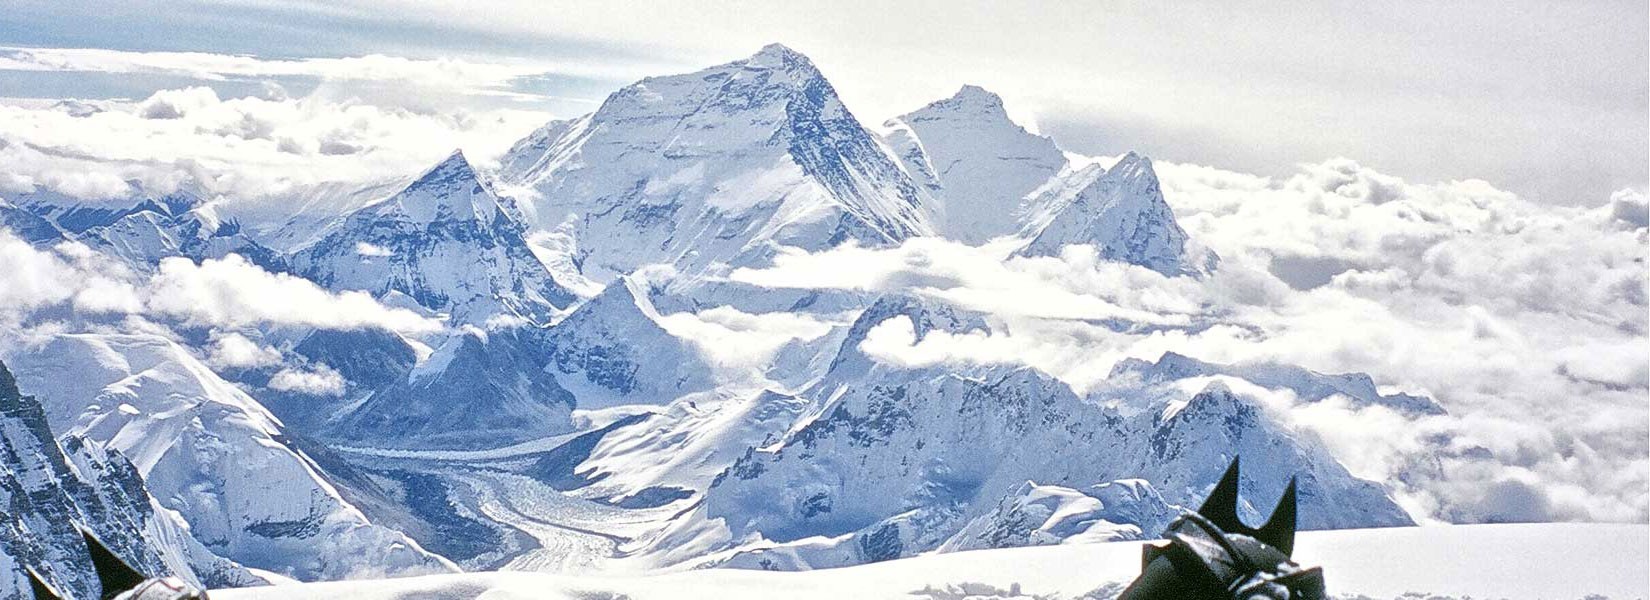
(605, 393)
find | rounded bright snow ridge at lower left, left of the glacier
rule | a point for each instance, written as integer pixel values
(212, 454)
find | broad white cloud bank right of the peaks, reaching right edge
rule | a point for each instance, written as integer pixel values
(1527, 322)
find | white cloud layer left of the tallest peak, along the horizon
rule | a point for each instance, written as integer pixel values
(252, 149)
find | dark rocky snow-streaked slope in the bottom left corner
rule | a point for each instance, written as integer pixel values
(49, 489)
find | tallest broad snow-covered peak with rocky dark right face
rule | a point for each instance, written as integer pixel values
(717, 167)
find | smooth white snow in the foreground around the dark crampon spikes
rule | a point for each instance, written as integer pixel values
(1507, 561)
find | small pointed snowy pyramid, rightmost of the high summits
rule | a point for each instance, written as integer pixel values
(1124, 217)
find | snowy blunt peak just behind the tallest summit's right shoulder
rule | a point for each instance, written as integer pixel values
(978, 161)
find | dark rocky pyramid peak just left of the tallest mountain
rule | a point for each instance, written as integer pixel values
(445, 241)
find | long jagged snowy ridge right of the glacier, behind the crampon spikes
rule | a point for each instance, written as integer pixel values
(895, 461)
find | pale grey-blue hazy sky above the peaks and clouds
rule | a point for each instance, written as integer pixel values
(1540, 100)
